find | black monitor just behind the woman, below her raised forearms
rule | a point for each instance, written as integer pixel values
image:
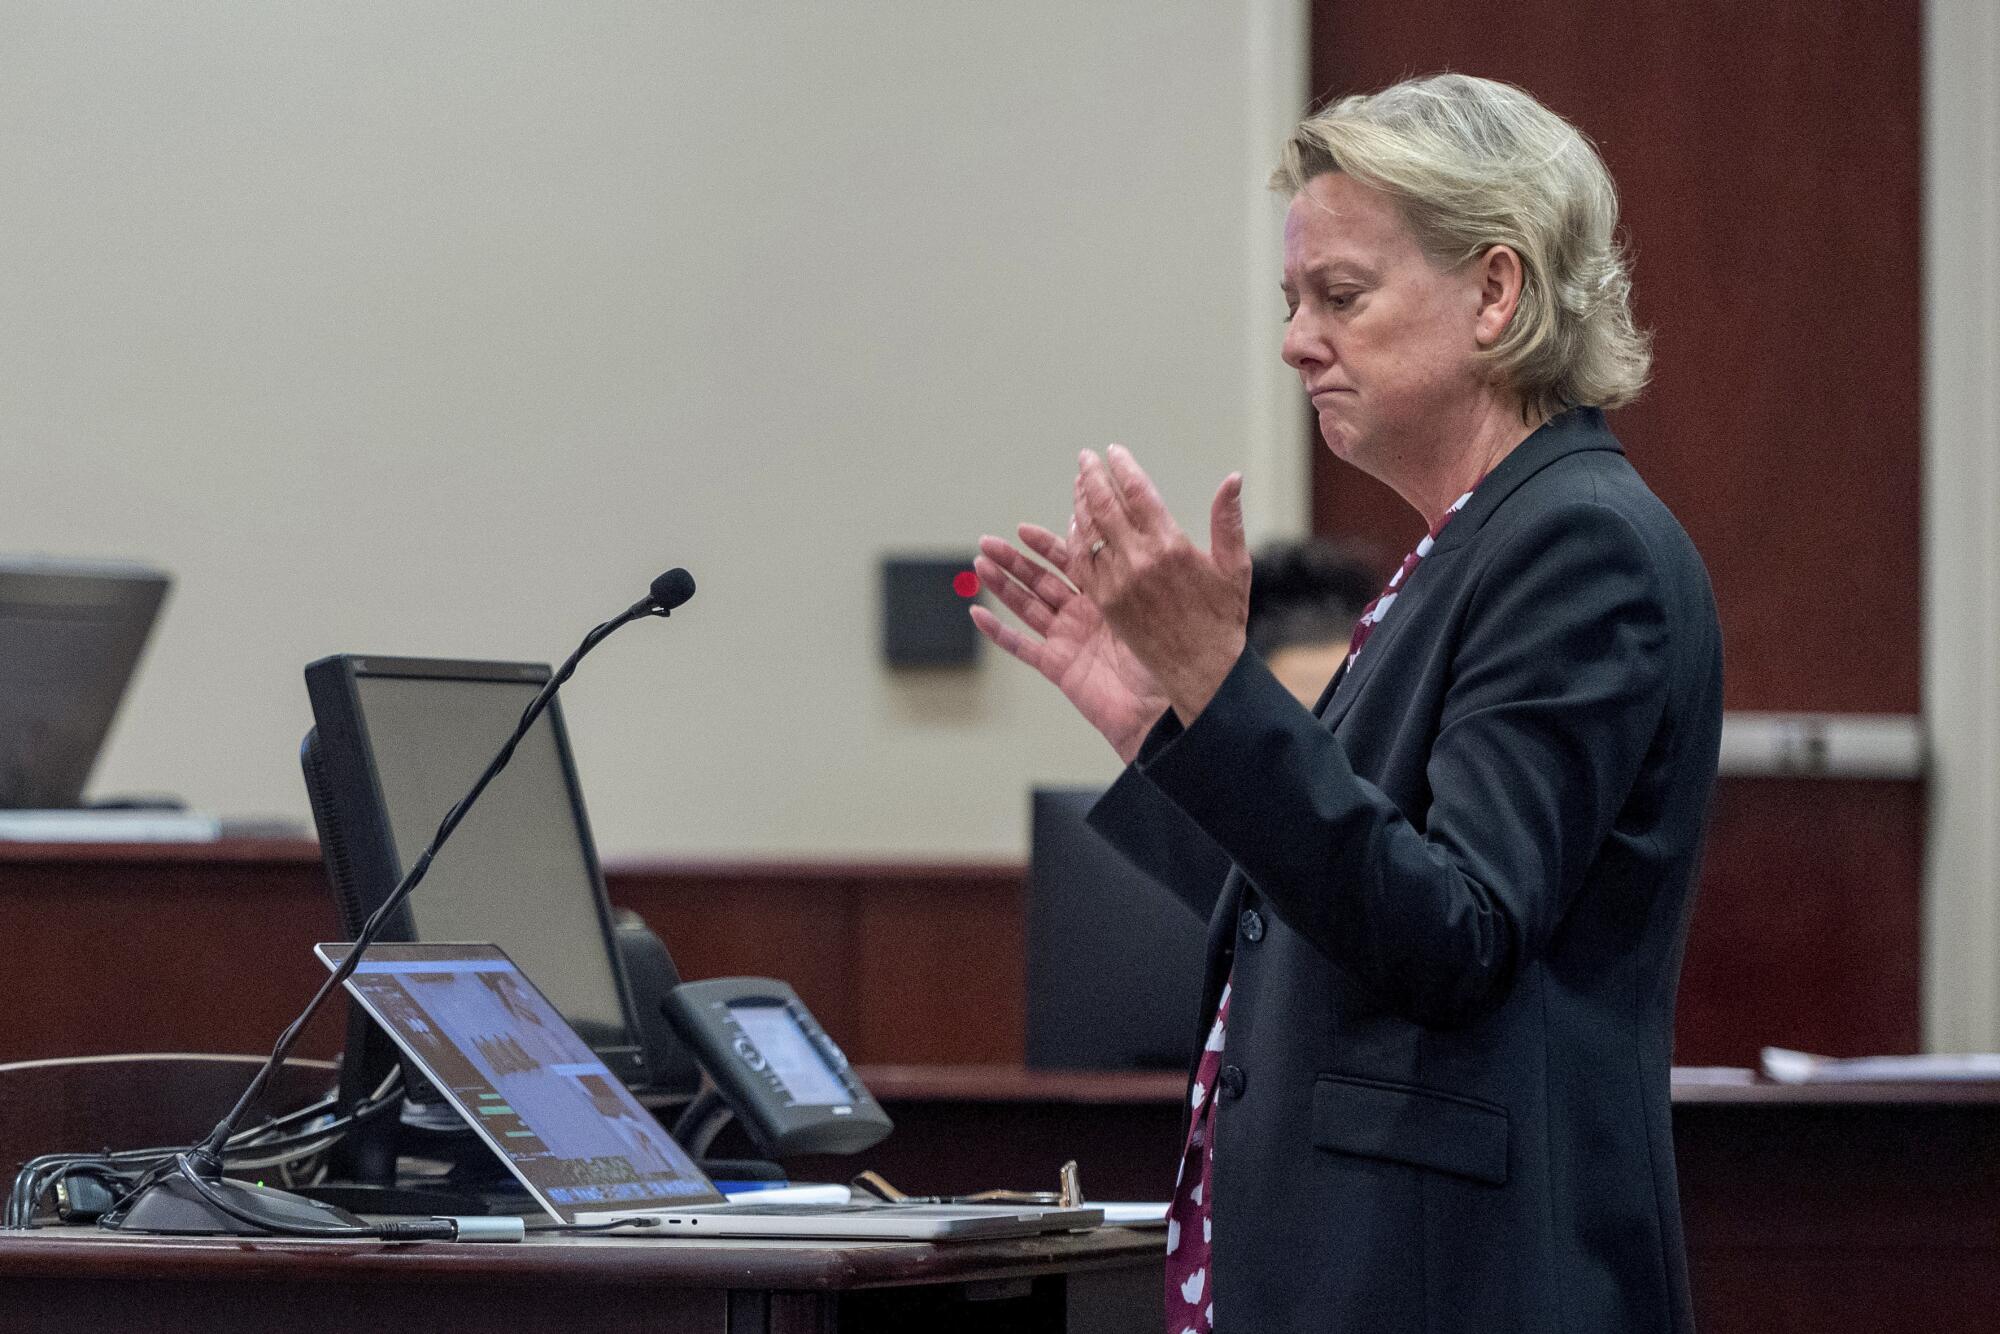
(1115, 959)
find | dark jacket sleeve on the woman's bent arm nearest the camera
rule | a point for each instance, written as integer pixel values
(1559, 685)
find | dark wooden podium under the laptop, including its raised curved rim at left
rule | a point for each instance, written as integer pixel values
(1107, 1281)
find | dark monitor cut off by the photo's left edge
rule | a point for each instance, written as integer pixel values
(71, 633)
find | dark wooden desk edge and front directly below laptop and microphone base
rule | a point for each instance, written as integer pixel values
(79, 1279)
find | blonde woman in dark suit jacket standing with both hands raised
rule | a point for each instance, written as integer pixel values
(1447, 905)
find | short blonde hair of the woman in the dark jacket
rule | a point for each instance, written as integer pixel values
(1479, 165)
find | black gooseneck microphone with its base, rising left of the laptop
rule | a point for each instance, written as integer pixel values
(189, 1193)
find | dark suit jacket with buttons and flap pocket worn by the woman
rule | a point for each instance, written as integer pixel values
(1455, 907)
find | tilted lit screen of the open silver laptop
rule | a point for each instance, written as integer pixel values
(523, 1079)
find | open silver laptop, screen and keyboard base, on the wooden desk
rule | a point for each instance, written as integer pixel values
(575, 1135)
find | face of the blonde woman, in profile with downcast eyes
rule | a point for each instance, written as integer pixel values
(1381, 337)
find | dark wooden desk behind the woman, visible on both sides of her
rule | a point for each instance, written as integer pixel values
(1809, 1209)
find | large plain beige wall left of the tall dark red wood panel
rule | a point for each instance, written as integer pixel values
(439, 329)
